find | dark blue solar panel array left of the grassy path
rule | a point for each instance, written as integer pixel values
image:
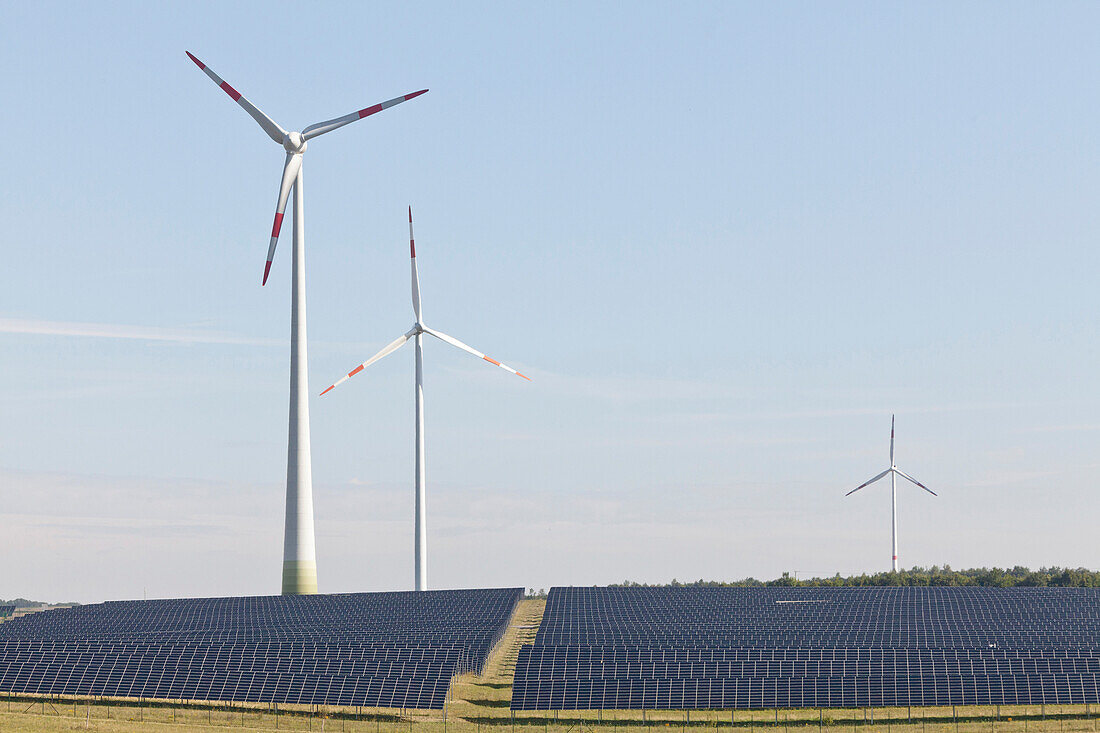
(371, 650)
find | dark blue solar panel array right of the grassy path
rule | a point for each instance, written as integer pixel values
(804, 648)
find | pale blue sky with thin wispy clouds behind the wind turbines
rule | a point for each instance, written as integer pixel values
(727, 240)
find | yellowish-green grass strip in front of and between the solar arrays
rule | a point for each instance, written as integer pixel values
(482, 703)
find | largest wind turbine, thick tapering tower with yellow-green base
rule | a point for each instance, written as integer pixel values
(300, 557)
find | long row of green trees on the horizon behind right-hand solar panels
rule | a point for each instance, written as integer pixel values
(934, 576)
